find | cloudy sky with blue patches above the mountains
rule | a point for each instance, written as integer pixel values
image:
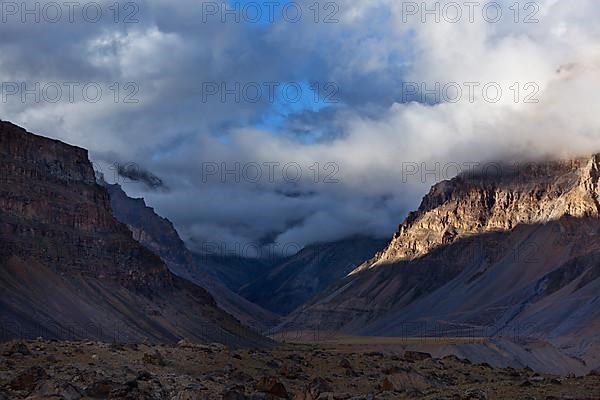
(262, 126)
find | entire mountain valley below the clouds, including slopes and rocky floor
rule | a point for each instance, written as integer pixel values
(488, 290)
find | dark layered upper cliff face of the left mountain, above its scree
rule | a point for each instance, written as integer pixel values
(53, 211)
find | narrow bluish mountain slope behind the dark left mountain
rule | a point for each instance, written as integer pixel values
(159, 235)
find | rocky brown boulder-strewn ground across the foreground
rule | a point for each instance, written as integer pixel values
(44, 369)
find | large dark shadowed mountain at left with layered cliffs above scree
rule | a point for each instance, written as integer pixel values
(69, 269)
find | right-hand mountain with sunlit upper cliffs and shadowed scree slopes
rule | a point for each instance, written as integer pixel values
(509, 254)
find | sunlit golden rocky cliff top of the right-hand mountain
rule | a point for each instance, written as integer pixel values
(494, 201)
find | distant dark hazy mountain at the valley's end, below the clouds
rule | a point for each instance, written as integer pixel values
(300, 277)
